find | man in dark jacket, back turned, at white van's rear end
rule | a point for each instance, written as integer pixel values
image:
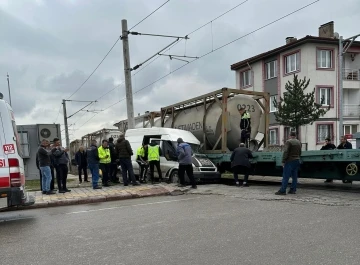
(124, 152)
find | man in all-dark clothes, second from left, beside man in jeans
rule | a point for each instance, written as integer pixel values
(61, 161)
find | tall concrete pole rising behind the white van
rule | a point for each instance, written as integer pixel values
(127, 71)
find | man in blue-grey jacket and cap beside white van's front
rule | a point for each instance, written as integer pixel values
(184, 154)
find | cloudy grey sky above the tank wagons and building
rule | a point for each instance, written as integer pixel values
(49, 48)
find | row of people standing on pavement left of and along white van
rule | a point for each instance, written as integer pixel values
(103, 161)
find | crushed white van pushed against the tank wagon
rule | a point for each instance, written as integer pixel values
(166, 138)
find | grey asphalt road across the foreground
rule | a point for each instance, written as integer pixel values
(190, 229)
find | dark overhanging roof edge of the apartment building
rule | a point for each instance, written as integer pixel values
(307, 39)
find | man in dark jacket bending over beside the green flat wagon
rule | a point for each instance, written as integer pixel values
(240, 164)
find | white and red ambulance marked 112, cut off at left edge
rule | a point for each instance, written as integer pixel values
(12, 173)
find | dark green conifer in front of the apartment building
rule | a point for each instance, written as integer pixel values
(297, 108)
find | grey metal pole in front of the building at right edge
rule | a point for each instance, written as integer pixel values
(342, 50)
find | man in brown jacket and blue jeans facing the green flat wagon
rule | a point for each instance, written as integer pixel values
(291, 164)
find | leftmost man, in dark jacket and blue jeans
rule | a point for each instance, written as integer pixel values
(43, 155)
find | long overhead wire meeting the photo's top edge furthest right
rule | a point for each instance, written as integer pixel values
(214, 50)
